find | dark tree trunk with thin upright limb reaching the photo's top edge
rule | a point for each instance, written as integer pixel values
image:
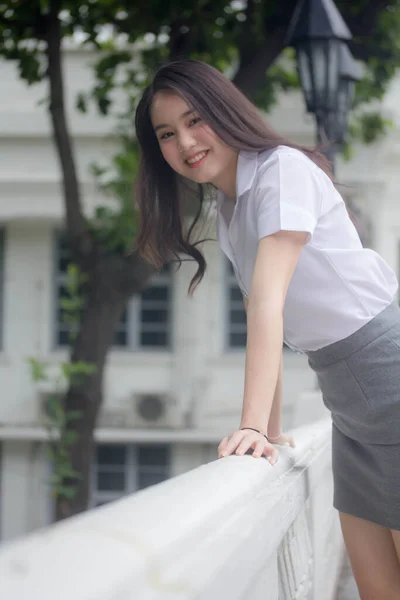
(112, 281)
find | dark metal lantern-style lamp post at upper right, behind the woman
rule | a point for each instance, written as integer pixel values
(326, 68)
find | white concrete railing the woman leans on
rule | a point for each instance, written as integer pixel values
(235, 528)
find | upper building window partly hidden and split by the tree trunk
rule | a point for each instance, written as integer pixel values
(146, 321)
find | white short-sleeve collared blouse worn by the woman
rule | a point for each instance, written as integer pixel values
(338, 286)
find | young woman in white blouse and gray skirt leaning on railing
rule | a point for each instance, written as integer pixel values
(306, 281)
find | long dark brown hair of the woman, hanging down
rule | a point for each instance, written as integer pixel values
(159, 191)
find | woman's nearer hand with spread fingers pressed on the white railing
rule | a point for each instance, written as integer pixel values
(243, 440)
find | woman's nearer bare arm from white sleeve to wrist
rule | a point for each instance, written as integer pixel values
(277, 257)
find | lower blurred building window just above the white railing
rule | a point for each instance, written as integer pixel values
(121, 469)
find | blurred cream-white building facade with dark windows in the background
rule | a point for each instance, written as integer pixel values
(174, 377)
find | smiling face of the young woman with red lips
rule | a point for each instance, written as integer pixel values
(190, 146)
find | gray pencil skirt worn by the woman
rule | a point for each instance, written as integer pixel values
(360, 382)
